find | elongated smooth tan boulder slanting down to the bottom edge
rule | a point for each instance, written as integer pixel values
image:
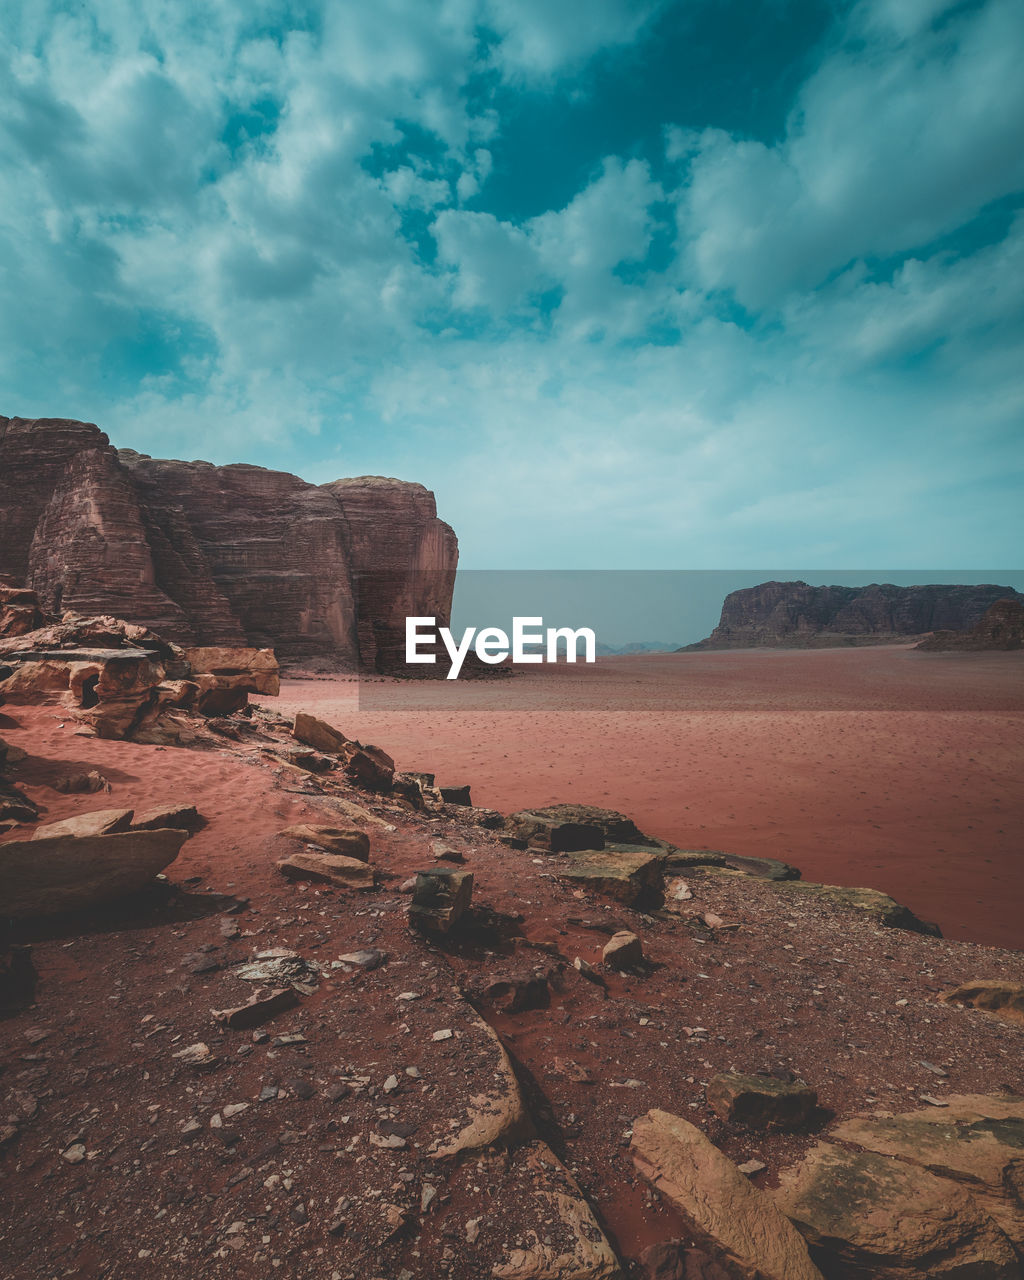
(723, 1212)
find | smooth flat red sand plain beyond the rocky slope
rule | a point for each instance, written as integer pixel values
(880, 767)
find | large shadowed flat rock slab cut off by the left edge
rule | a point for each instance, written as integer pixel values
(68, 874)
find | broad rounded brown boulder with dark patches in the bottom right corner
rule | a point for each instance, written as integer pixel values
(872, 1218)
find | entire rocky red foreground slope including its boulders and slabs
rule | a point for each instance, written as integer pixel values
(355, 1027)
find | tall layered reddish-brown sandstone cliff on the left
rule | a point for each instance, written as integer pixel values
(221, 556)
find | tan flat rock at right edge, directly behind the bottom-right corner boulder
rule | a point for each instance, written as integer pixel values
(976, 1141)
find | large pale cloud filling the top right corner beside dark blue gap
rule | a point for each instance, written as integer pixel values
(890, 145)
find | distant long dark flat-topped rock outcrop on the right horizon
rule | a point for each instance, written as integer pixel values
(797, 616)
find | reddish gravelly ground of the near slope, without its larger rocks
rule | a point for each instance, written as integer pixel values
(314, 1146)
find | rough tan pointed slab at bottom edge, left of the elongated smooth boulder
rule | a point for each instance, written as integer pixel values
(570, 1245)
